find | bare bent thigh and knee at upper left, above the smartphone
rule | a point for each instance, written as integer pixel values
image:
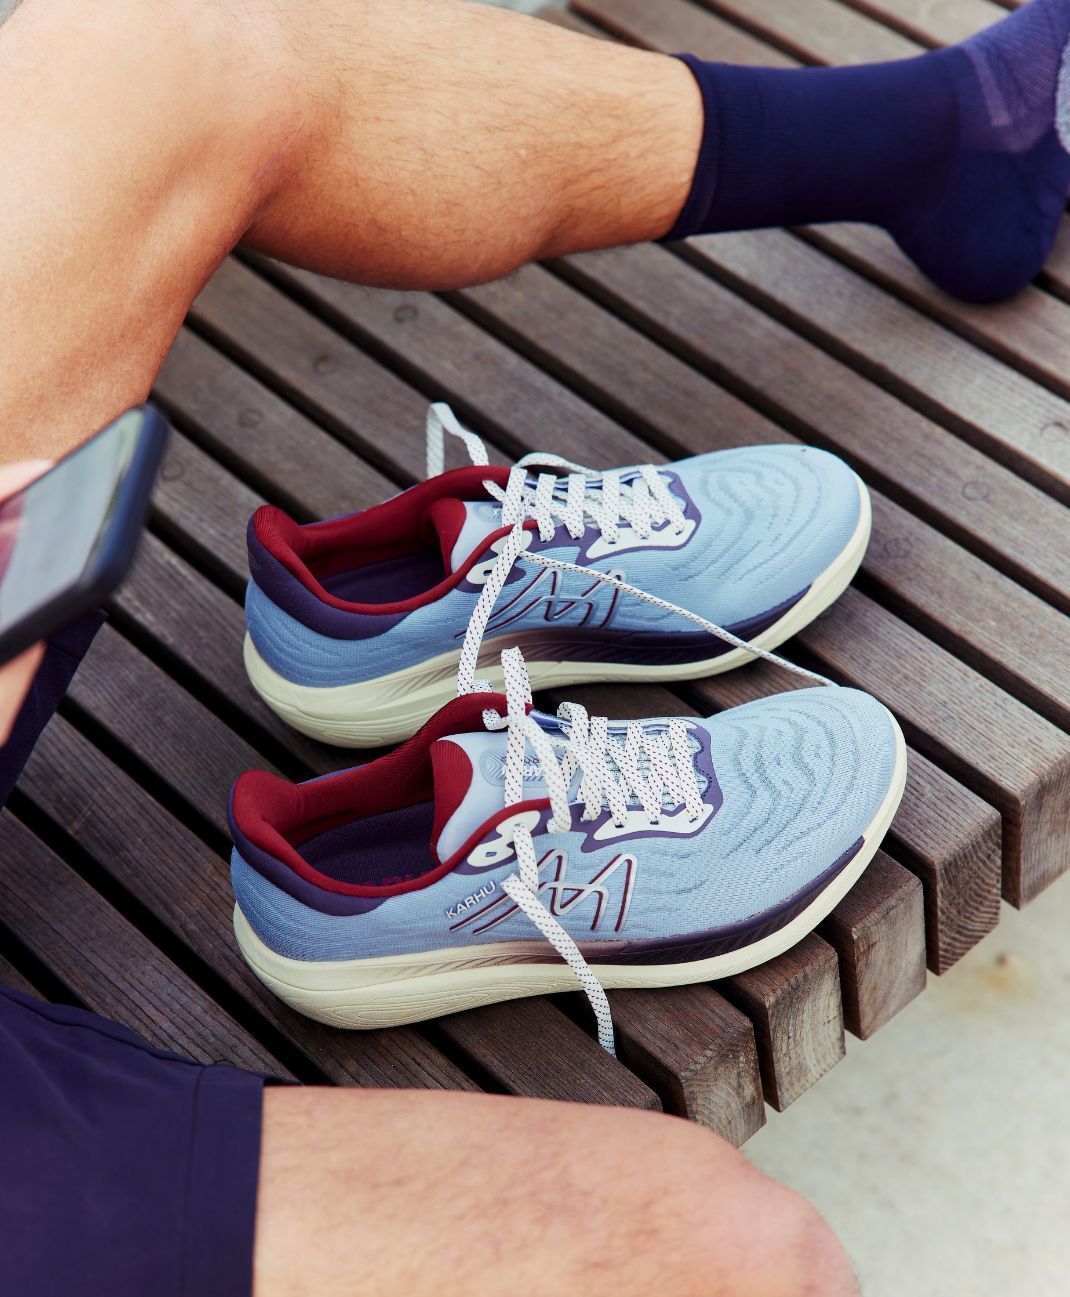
(137, 141)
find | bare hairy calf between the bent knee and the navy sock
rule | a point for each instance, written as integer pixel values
(464, 142)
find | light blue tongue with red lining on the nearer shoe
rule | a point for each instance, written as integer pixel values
(470, 787)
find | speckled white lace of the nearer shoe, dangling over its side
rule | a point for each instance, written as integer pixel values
(647, 767)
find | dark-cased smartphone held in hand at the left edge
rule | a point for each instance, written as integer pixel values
(69, 538)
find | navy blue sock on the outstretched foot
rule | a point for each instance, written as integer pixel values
(963, 155)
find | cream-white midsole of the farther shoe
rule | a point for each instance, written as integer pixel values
(392, 708)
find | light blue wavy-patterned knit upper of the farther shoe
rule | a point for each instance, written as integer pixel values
(772, 519)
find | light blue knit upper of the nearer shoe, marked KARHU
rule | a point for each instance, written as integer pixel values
(802, 778)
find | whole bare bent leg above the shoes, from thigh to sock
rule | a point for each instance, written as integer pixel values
(418, 143)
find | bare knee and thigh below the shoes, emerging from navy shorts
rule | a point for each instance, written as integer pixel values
(474, 1196)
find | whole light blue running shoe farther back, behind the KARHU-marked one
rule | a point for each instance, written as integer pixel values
(360, 626)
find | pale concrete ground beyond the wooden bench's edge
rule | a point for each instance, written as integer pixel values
(940, 1151)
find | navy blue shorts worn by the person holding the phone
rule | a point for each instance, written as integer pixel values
(125, 1172)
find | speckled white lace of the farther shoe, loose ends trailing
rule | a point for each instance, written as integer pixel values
(588, 496)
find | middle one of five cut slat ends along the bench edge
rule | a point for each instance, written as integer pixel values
(879, 933)
